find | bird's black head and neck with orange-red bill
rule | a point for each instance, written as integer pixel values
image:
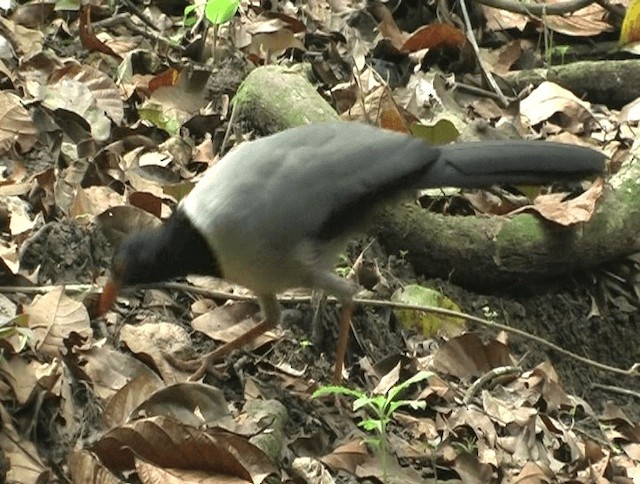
(174, 249)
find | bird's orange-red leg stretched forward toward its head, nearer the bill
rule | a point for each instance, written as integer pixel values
(271, 310)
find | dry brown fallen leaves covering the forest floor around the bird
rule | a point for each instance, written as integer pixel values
(94, 400)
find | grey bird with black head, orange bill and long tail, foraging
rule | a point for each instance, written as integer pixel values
(274, 213)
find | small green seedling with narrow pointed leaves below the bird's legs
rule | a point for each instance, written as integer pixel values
(380, 407)
